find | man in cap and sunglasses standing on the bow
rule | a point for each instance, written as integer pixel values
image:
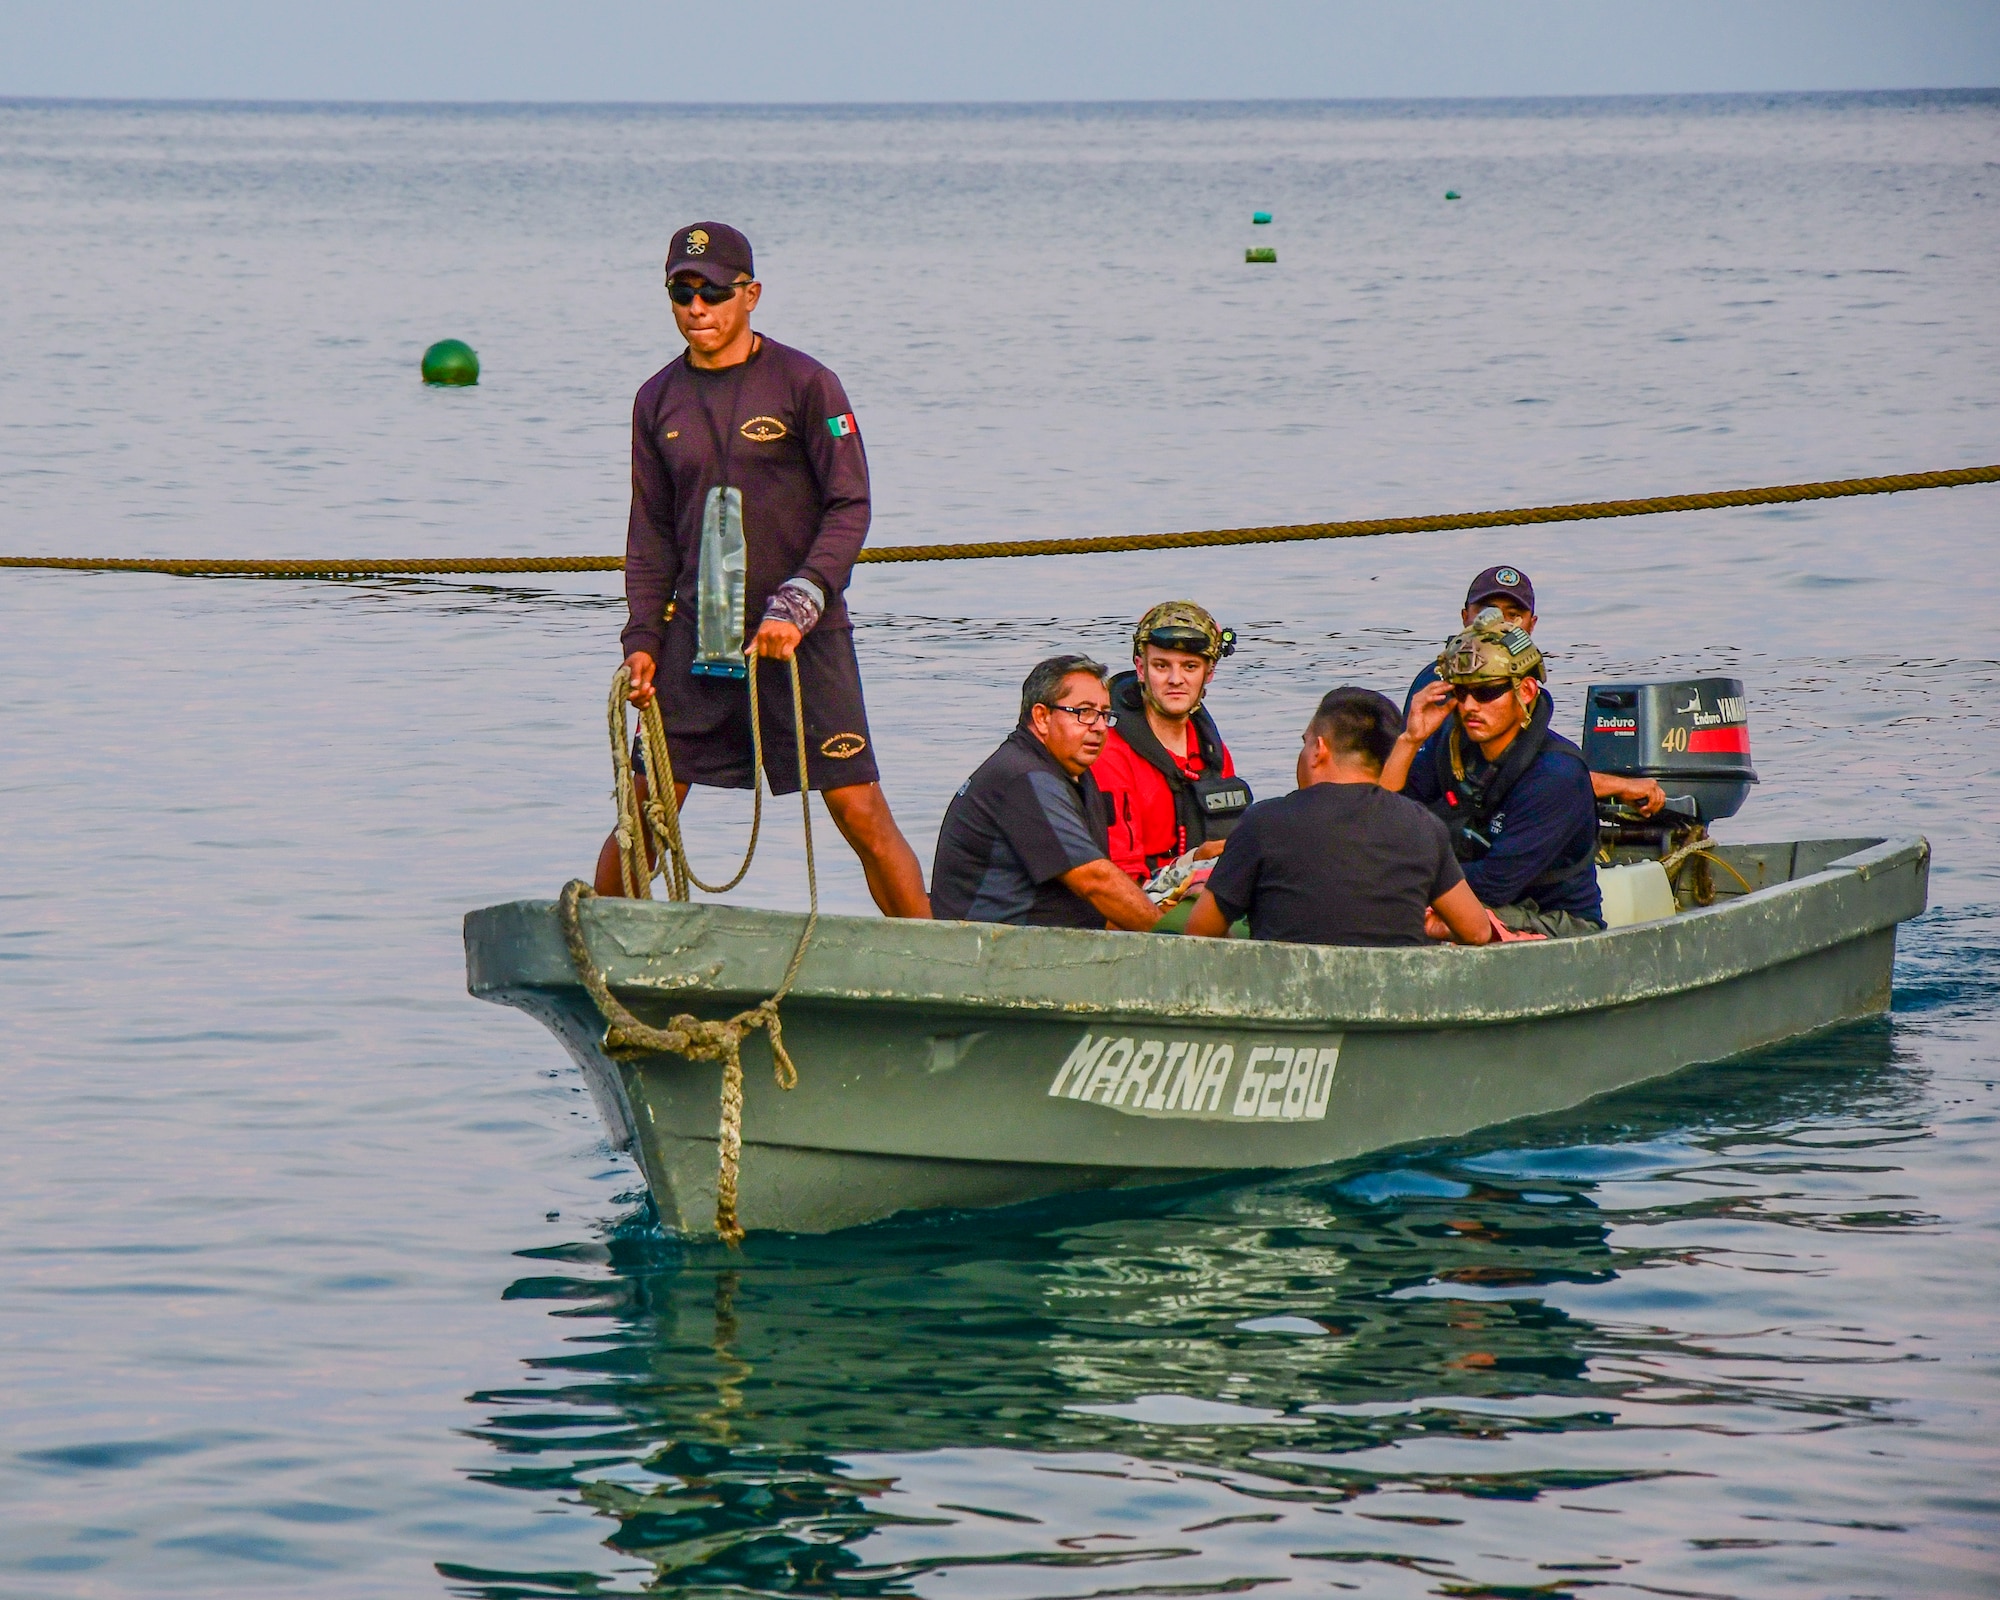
(747, 461)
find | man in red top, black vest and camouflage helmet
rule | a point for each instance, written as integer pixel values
(1167, 777)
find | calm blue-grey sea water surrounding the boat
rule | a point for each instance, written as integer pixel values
(319, 1277)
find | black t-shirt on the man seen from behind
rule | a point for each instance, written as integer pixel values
(1335, 865)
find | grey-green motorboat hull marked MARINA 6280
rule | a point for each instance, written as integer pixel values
(961, 1065)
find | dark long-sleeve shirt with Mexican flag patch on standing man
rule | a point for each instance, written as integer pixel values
(779, 429)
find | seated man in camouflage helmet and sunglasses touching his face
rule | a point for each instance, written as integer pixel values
(1513, 793)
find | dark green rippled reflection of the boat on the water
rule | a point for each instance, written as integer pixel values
(1283, 1351)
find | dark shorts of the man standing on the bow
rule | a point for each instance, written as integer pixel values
(709, 719)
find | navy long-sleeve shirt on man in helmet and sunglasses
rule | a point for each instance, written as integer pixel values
(1547, 821)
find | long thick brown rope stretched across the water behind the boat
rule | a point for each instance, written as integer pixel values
(1377, 527)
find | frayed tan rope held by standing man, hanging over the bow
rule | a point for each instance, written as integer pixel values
(685, 1035)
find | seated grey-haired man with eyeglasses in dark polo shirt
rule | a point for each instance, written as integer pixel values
(1023, 839)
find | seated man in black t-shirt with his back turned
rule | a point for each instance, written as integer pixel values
(1341, 861)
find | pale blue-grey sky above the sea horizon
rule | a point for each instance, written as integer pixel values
(887, 51)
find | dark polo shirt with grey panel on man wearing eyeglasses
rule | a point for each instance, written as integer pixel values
(1011, 833)
